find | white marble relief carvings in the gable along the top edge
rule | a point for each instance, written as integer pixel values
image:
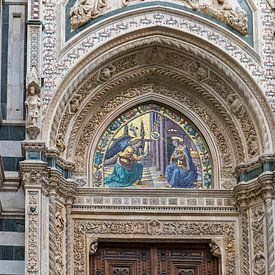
(227, 11)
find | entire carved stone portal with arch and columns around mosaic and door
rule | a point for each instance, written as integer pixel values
(229, 108)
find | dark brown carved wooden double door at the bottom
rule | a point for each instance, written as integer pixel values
(153, 259)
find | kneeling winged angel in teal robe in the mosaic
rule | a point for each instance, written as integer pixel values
(127, 169)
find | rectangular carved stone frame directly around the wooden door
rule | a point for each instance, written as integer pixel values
(219, 236)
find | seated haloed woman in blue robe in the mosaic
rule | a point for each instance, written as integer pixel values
(181, 172)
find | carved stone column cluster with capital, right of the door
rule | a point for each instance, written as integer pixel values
(254, 200)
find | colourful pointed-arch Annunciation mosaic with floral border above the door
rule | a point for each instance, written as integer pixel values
(152, 146)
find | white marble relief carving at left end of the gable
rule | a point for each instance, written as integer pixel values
(84, 10)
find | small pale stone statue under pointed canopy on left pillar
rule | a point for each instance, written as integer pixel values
(33, 104)
